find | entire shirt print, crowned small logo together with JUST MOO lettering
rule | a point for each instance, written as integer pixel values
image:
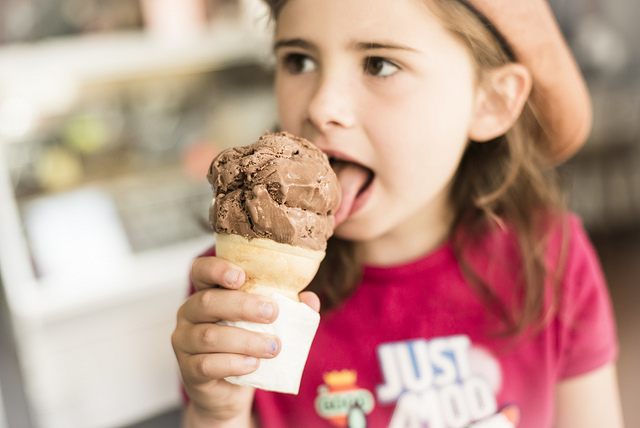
(445, 382)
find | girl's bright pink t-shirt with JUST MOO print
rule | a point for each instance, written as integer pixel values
(414, 346)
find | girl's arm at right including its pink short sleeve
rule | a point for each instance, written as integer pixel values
(587, 393)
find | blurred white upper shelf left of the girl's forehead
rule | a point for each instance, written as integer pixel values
(50, 75)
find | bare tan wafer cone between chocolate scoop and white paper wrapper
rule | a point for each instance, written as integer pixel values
(270, 267)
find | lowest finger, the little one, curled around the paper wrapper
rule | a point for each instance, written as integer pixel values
(201, 368)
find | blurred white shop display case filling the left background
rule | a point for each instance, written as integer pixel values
(109, 117)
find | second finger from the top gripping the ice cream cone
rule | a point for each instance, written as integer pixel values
(215, 304)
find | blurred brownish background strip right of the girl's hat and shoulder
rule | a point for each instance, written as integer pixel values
(603, 179)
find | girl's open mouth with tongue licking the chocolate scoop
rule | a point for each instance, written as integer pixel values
(355, 182)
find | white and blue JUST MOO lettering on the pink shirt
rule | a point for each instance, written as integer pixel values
(442, 383)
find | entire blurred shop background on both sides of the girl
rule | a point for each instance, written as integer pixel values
(110, 112)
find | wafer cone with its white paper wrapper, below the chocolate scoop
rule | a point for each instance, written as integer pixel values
(280, 271)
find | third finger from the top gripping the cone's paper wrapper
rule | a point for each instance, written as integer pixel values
(209, 338)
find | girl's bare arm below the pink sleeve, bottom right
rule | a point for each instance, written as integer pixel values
(591, 400)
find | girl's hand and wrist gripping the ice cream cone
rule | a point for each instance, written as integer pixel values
(208, 352)
